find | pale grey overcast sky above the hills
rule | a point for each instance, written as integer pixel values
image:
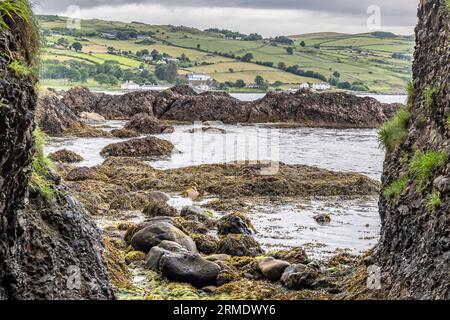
(267, 17)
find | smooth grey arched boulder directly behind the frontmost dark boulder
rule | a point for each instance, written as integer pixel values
(152, 235)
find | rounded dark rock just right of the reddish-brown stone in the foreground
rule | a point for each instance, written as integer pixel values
(299, 276)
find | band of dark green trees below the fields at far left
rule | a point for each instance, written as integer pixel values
(108, 72)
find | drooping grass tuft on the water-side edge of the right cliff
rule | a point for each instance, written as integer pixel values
(393, 132)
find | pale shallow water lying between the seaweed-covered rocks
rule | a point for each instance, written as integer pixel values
(354, 223)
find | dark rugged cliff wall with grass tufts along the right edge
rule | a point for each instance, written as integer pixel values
(414, 251)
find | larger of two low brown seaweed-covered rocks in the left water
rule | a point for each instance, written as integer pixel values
(150, 147)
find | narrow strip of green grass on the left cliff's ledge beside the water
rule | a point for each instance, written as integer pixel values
(41, 165)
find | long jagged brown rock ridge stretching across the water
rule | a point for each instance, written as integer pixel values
(183, 104)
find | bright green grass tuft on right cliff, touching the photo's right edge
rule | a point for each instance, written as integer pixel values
(424, 164)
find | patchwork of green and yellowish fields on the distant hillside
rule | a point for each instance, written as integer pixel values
(363, 58)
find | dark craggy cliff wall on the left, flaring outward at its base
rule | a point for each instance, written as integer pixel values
(49, 249)
